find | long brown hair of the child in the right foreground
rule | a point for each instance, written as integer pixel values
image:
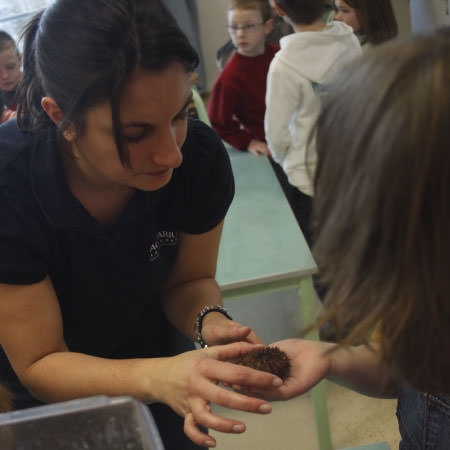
(383, 205)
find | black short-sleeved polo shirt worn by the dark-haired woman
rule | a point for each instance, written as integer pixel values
(106, 280)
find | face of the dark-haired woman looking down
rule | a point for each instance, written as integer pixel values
(153, 114)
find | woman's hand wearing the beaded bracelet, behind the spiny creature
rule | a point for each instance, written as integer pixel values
(217, 329)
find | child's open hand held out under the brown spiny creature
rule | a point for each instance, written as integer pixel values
(310, 363)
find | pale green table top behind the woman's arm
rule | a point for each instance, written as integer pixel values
(261, 240)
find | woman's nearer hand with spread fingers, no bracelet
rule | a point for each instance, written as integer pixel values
(189, 383)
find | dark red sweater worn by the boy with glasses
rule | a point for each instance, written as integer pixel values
(237, 104)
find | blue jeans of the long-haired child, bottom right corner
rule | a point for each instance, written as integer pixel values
(424, 421)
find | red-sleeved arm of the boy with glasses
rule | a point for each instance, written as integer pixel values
(223, 103)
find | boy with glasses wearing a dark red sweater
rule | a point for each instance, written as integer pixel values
(236, 106)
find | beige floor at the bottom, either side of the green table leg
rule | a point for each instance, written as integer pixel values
(355, 420)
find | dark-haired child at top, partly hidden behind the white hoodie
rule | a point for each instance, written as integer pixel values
(373, 21)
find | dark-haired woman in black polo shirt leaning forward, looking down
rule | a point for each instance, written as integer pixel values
(112, 205)
